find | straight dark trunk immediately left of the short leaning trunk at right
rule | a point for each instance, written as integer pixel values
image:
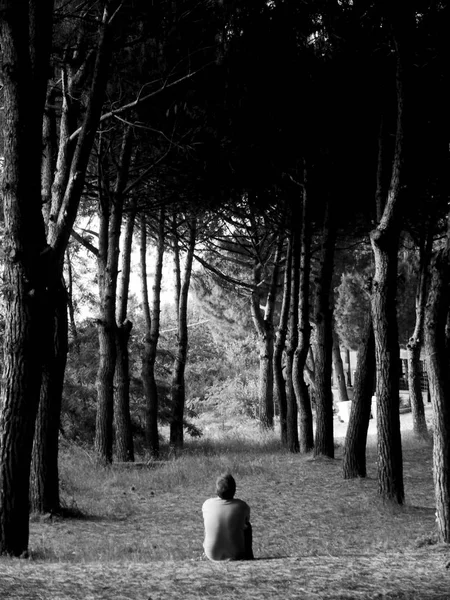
(323, 343)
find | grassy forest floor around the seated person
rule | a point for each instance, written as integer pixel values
(136, 533)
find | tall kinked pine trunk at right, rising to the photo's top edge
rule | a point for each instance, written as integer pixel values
(385, 240)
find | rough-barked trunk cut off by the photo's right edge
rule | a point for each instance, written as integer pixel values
(438, 358)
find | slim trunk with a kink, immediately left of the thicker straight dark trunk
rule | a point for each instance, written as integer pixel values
(306, 432)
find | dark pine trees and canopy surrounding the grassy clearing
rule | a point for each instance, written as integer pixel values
(290, 160)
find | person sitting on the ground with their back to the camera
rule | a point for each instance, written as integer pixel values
(228, 532)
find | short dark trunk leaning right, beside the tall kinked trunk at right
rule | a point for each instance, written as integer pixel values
(354, 461)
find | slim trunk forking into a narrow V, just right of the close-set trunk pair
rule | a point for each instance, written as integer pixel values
(152, 326)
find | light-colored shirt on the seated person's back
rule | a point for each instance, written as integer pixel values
(225, 522)
